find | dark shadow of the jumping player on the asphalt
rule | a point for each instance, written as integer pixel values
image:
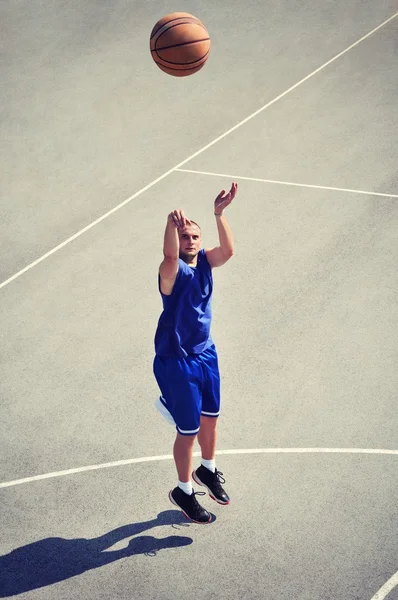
(54, 559)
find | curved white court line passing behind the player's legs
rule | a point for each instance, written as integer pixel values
(131, 461)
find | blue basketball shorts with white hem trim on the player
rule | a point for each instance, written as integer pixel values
(190, 387)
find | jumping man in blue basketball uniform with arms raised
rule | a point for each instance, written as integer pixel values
(186, 364)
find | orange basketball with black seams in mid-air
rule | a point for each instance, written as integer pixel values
(180, 44)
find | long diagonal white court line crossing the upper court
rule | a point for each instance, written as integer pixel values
(220, 137)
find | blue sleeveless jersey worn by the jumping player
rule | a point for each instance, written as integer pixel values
(184, 325)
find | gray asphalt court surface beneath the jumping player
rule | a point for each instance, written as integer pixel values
(305, 314)
